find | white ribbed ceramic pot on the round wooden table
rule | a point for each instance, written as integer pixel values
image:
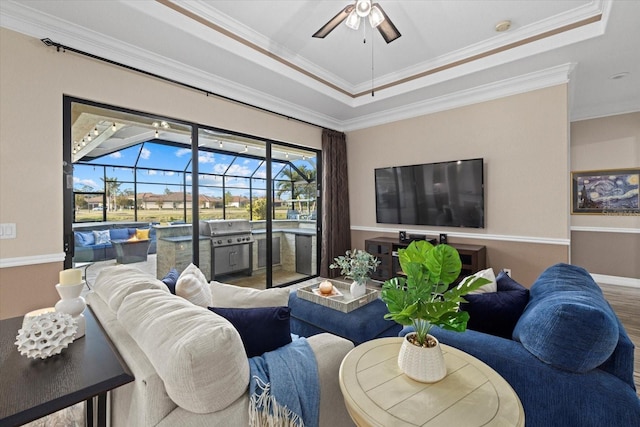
(422, 364)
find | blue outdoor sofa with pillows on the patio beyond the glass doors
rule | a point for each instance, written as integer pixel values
(89, 248)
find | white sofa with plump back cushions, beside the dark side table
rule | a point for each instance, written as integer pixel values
(189, 364)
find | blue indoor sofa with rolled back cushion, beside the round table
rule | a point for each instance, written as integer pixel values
(569, 358)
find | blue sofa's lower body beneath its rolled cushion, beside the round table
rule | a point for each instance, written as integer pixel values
(550, 396)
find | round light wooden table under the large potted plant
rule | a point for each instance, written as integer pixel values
(377, 393)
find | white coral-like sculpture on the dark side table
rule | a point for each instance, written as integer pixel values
(46, 335)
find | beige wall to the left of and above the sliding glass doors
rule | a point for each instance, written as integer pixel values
(33, 80)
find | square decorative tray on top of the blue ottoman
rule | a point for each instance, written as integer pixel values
(340, 299)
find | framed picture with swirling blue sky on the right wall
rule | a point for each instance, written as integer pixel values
(606, 192)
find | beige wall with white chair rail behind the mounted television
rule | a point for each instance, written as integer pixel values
(524, 142)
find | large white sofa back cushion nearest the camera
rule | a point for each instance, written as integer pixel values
(198, 354)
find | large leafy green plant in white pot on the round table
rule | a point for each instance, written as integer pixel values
(422, 298)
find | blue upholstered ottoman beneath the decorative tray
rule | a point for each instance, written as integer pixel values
(362, 324)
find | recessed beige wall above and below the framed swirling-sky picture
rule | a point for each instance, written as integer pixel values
(605, 244)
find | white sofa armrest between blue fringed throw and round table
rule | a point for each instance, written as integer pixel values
(329, 351)
